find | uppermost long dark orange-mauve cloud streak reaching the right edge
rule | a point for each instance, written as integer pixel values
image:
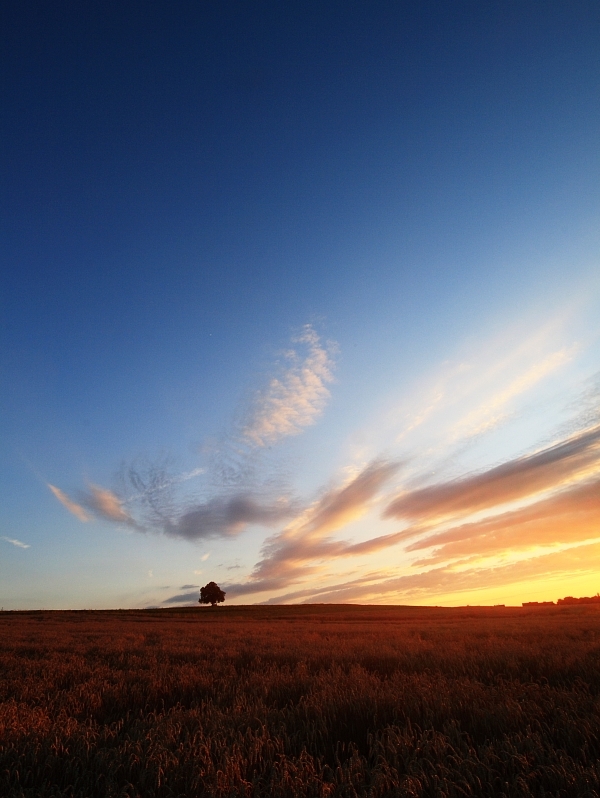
(550, 468)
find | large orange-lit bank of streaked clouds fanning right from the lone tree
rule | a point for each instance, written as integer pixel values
(560, 509)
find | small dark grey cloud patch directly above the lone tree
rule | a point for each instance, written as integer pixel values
(226, 517)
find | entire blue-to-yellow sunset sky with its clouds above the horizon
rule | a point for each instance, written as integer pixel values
(300, 298)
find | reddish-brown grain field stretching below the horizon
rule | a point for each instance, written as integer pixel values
(301, 701)
